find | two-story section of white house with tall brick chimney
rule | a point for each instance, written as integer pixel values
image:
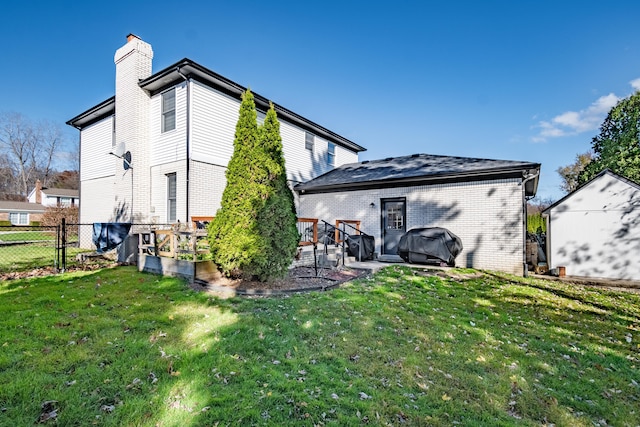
(173, 132)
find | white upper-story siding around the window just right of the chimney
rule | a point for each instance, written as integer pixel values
(168, 146)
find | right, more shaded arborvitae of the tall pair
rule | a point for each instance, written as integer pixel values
(277, 218)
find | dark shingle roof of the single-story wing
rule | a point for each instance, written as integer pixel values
(418, 169)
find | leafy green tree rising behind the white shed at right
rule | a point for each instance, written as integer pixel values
(617, 147)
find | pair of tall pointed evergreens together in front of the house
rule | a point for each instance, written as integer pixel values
(254, 232)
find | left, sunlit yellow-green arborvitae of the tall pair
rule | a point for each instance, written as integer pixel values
(234, 236)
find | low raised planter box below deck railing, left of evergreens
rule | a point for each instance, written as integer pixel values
(190, 270)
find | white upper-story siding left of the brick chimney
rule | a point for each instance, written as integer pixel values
(96, 141)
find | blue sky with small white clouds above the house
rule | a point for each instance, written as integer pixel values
(517, 80)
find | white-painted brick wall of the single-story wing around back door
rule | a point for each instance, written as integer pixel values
(486, 215)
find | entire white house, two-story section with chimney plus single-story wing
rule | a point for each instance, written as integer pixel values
(173, 133)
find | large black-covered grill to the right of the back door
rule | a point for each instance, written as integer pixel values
(423, 245)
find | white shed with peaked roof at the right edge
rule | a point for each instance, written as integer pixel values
(595, 230)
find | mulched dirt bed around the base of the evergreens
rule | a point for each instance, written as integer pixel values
(299, 279)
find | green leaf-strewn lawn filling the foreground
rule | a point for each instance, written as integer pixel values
(117, 347)
